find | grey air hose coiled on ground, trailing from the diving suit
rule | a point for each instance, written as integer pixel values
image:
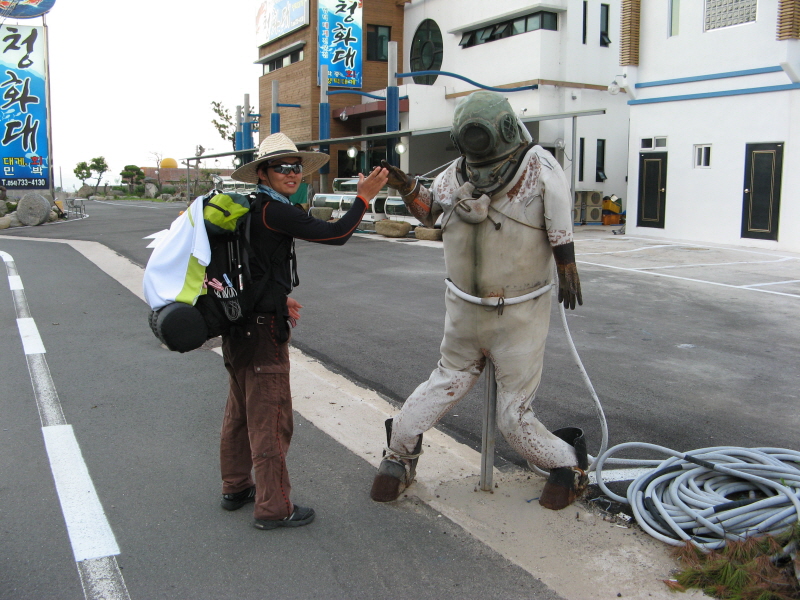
(687, 497)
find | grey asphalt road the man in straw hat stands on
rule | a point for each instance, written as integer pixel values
(147, 422)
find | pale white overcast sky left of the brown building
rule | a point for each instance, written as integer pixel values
(131, 78)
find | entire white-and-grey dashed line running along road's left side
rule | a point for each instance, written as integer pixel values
(93, 543)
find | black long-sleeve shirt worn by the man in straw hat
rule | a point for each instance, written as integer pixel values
(271, 235)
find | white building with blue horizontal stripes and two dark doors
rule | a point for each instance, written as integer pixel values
(715, 122)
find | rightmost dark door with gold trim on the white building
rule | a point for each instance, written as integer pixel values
(762, 191)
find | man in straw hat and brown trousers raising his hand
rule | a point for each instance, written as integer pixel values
(257, 427)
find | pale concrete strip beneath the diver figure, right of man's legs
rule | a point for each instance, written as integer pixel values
(578, 552)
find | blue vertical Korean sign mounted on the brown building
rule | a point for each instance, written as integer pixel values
(340, 46)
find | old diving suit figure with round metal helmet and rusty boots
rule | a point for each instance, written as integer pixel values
(506, 210)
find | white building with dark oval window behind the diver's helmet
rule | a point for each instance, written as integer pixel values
(568, 48)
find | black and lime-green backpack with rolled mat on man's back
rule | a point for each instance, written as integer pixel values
(226, 296)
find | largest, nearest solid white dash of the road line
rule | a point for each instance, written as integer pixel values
(89, 531)
